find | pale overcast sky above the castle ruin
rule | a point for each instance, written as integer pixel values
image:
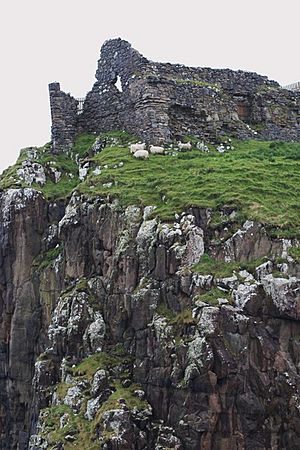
(59, 40)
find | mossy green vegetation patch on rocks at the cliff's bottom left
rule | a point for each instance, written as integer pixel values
(61, 424)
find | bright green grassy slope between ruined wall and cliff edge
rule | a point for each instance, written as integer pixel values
(260, 179)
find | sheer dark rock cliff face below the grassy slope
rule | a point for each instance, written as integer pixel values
(113, 337)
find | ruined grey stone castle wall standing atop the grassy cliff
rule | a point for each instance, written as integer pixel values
(161, 102)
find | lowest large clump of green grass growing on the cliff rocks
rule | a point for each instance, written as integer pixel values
(85, 431)
